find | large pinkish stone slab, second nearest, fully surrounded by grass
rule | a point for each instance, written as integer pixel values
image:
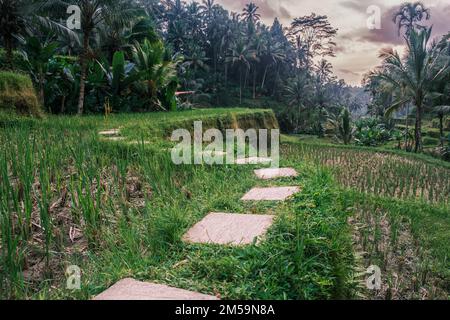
(229, 229)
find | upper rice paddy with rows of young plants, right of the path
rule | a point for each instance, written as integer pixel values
(381, 173)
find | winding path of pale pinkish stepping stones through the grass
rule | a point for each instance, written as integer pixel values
(216, 228)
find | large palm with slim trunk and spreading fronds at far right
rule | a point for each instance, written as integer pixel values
(417, 73)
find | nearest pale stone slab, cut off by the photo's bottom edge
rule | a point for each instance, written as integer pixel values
(130, 289)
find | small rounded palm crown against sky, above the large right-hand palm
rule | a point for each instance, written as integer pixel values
(409, 15)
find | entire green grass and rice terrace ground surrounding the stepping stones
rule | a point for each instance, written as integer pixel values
(119, 209)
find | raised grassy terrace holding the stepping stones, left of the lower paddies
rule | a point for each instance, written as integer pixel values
(120, 209)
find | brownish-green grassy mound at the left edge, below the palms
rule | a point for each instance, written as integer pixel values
(17, 95)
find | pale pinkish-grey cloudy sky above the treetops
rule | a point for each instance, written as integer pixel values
(358, 46)
